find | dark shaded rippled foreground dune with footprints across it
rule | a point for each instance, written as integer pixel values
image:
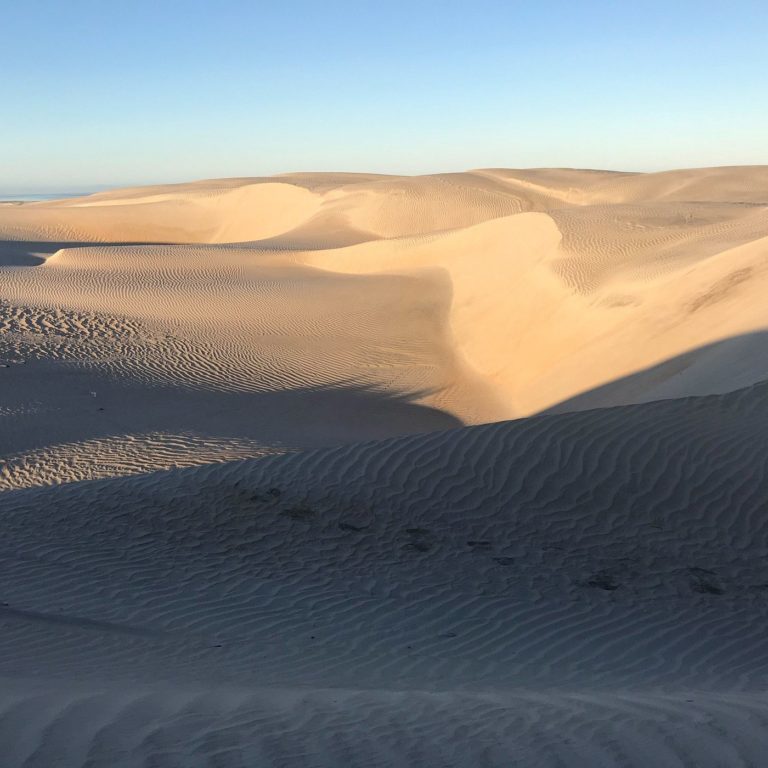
(587, 586)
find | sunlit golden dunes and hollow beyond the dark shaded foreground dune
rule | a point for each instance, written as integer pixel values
(408, 303)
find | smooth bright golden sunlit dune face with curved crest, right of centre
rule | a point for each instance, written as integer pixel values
(521, 326)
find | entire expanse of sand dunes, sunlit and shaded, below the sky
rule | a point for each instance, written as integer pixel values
(353, 470)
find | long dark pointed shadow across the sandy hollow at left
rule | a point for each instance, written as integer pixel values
(86, 407)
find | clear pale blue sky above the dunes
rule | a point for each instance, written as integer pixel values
(101, 92)
